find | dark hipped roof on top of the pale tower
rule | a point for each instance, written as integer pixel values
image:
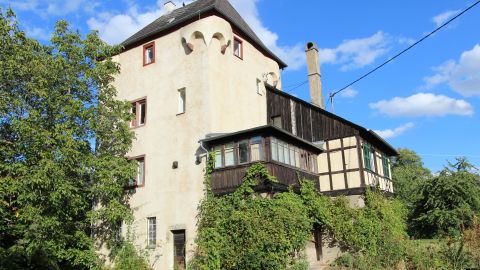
(195, 10)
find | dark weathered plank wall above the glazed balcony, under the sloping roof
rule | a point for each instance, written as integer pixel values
(311, 123)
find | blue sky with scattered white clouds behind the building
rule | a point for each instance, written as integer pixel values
(426, 100)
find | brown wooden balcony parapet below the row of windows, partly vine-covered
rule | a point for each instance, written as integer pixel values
(226, 180)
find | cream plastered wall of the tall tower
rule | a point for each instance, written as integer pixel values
(221, 96)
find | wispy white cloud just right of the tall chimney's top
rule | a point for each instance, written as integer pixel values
(356, 53)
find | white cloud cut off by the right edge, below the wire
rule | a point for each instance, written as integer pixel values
(462, 76)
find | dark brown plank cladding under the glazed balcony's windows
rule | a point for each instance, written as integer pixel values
(228, 179)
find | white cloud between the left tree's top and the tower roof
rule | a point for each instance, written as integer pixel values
(115, 28)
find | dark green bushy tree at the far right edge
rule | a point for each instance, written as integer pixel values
(449, 202)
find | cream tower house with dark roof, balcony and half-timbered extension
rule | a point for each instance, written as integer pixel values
(200, 79)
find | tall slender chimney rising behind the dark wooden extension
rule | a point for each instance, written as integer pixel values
(314, 77)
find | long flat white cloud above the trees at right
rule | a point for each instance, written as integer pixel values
(423, 104)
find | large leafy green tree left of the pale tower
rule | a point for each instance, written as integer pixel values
(63, 138)
